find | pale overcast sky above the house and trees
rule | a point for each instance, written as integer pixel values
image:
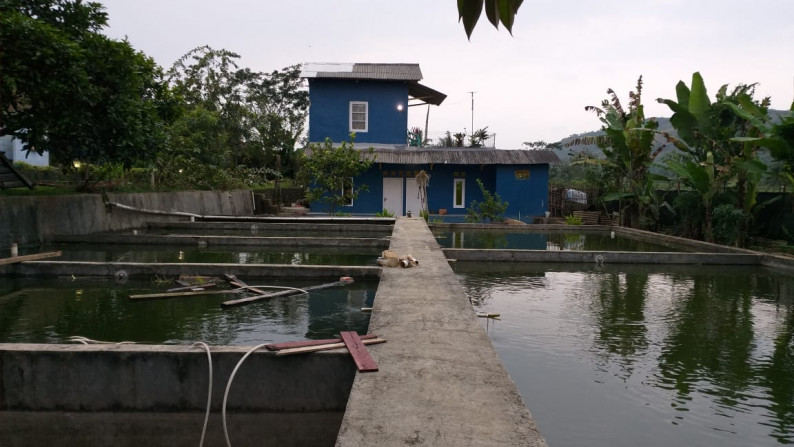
(531, 86)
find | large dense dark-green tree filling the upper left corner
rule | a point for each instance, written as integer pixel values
(67, 89)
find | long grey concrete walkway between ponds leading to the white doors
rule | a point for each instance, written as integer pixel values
(440, 382)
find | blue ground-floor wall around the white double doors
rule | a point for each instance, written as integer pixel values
(525, 197)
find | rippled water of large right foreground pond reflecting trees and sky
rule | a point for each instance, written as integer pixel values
(648, 357)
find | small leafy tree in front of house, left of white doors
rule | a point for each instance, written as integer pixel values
(328, 172)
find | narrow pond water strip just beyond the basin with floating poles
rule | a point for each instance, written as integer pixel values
(214, 254)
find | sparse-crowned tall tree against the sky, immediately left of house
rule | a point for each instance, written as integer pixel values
(260, 116)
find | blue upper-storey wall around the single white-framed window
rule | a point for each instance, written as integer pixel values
(330, 110)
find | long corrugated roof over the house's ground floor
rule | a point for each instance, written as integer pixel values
(461, 156)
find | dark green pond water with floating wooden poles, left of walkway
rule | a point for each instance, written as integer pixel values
(51, 310)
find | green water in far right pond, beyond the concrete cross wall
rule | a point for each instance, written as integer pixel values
(492, 239)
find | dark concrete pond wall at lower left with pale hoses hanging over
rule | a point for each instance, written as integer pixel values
(133, 395)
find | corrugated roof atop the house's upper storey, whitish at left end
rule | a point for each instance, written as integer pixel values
(389, 72)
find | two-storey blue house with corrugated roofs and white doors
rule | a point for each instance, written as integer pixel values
(371, 100)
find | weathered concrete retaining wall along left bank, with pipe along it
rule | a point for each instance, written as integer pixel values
(31, 220)
